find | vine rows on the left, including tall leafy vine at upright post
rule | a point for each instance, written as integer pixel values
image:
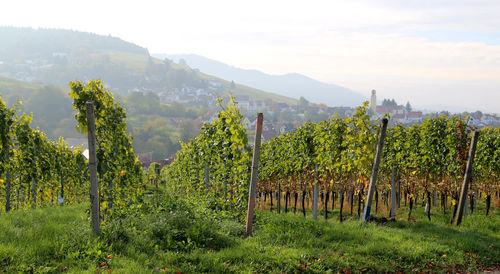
(37, 172)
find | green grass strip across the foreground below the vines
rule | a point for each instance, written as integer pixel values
(168, 235)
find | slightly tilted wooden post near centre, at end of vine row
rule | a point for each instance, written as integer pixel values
(254, 174)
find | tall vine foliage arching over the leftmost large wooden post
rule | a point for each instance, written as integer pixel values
(119, 171)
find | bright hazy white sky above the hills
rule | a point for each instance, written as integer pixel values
(430, 52)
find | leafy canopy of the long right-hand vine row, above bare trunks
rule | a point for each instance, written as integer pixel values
(426, 157)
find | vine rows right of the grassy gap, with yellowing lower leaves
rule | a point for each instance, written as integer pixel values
(425, 162)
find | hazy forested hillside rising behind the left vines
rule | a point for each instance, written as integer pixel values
(37, 65)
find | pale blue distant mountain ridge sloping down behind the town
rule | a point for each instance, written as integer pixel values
(291, 85)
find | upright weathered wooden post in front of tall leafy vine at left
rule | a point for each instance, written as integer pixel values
(94, 187)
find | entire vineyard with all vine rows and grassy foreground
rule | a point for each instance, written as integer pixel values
(195, 207)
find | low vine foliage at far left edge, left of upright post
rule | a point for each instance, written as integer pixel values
(33, 170)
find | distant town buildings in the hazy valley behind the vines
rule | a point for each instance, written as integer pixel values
(403, 114)
